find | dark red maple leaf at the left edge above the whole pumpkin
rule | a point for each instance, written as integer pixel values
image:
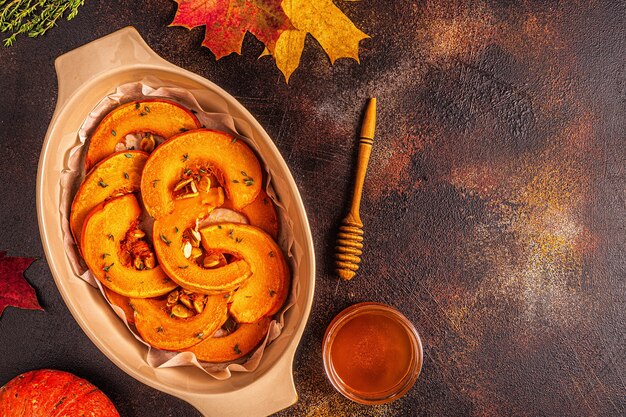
(14, 290)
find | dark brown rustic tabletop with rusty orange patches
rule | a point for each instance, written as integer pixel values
(494, 203)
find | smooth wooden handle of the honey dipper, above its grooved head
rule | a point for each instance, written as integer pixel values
(365, 148)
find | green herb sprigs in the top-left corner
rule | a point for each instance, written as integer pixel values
(33, 17)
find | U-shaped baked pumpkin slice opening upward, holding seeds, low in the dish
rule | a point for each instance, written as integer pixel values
(163, 330)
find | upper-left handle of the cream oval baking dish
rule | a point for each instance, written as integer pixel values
(122, 48)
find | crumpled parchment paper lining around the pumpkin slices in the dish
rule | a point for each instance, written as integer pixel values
(216, 117)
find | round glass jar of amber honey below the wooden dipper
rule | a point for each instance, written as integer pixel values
(372, 353)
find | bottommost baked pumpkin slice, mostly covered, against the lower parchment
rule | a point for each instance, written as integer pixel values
(235, 345)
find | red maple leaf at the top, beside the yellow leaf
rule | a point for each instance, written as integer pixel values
(227, 21)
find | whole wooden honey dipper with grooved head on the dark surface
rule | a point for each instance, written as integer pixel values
(350, 237)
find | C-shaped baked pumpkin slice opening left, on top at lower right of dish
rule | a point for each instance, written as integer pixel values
(264, 293)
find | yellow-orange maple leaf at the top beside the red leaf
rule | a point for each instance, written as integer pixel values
(334, 31)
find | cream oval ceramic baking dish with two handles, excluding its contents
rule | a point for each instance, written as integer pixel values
(85, 76)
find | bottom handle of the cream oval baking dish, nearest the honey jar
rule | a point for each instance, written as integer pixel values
(273, 391)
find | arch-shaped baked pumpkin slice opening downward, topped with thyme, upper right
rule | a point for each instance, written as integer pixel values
(193, 155)
